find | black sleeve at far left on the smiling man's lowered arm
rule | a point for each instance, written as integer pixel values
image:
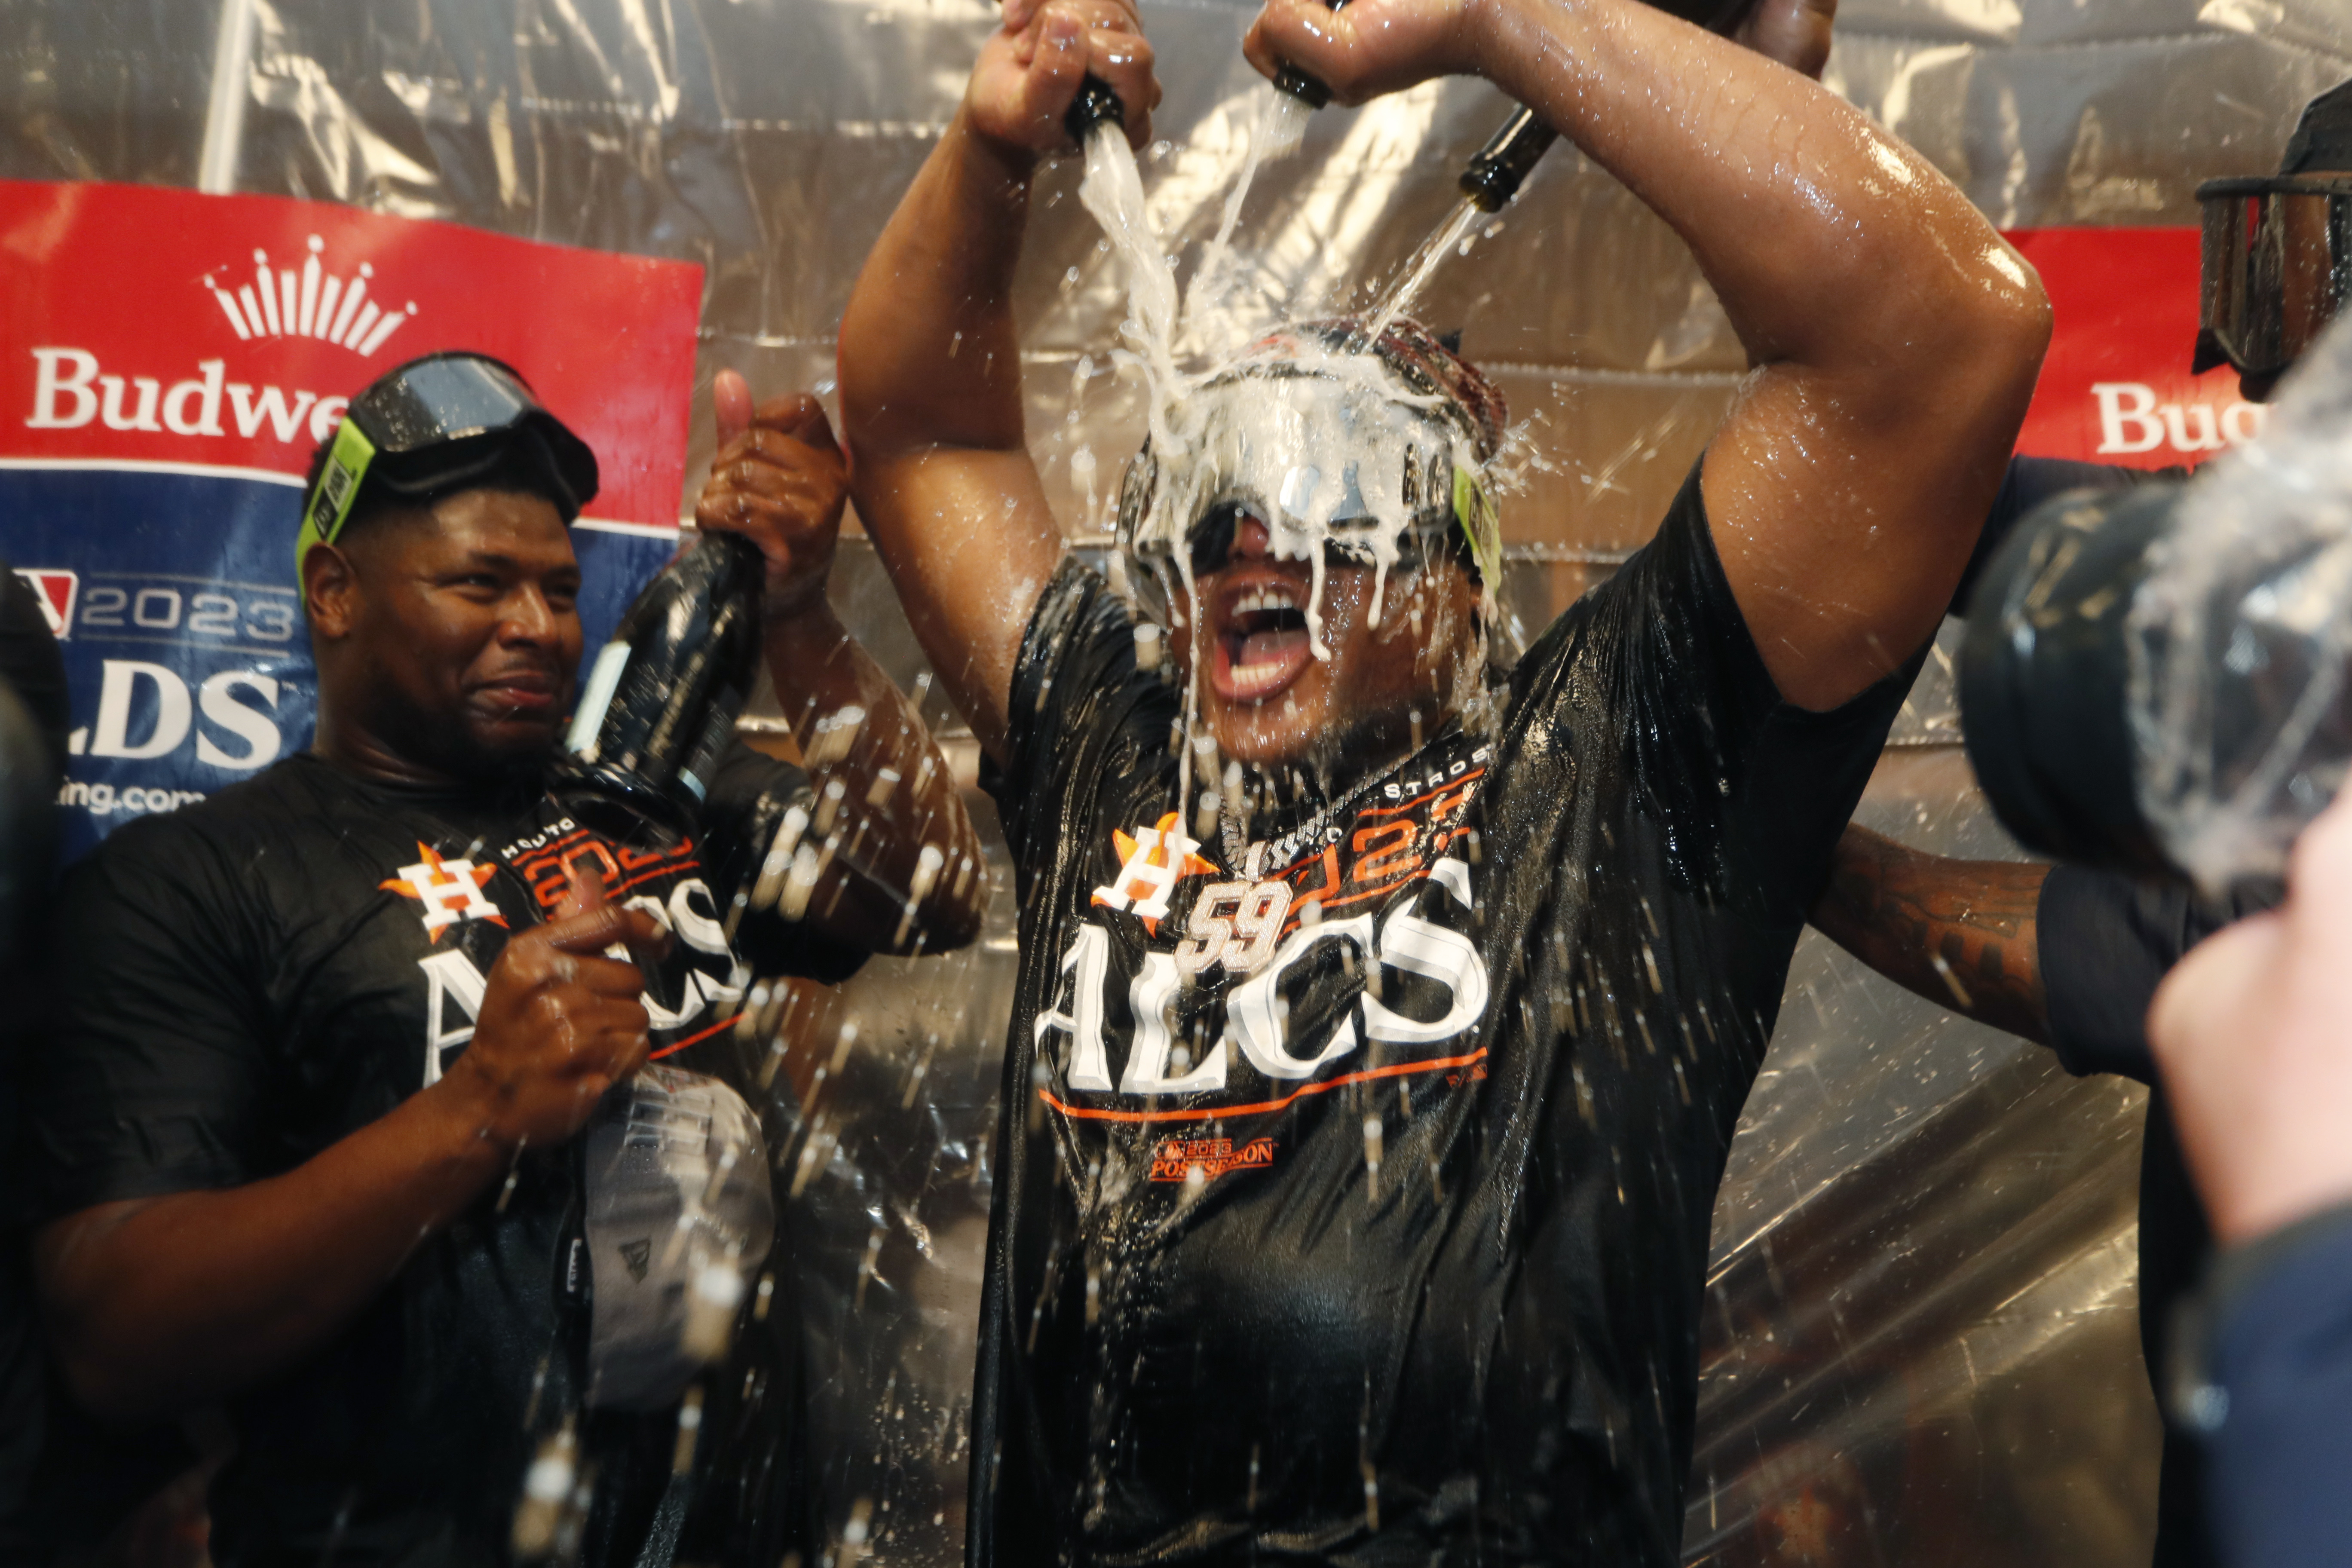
(149, 1066)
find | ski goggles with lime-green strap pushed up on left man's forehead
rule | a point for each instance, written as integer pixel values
(439, 427)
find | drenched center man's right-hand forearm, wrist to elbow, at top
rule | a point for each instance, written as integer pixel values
(1812, 225)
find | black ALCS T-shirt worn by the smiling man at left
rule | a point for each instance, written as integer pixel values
(248, 981)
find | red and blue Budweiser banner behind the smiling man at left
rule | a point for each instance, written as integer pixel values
(171, 363)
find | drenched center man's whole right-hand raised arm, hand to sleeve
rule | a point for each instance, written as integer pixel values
(1895, 335)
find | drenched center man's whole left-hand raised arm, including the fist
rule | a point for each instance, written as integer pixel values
(933, 354)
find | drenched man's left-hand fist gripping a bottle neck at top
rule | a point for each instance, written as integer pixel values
(1036, 62)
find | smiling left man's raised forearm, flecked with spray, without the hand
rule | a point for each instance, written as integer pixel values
(902, 866)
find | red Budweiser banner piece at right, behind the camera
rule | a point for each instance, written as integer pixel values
(2118, 384)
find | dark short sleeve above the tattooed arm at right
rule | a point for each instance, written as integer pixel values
(2106, 944)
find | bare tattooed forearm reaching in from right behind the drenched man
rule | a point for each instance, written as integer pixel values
(1958, 932)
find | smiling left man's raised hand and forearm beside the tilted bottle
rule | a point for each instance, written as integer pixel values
(902, 866)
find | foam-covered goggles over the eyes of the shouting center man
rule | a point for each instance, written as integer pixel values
(1344, 469)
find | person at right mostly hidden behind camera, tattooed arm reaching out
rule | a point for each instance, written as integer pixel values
(2064, 956)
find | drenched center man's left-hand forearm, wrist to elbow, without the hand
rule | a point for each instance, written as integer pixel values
(930, 351)
